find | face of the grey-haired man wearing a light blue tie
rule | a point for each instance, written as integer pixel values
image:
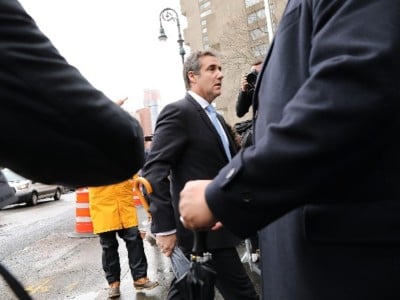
(208, 83)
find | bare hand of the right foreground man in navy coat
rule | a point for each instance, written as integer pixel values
(193, 206)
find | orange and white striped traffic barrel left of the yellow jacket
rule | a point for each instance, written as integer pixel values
(83, 221)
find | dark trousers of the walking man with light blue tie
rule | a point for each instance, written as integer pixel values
(232, 281)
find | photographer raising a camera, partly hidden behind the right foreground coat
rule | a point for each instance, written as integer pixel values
(247, 89)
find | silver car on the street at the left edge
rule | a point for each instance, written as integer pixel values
(28, 191)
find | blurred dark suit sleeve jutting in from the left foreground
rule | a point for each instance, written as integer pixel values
(55, 126)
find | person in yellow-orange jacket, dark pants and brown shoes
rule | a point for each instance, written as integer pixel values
(113, 212)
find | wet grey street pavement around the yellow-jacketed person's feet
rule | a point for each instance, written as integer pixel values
(37, 247)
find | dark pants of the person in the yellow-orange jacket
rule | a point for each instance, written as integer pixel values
(110, 257)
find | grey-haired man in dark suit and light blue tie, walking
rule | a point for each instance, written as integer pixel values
(187, 146)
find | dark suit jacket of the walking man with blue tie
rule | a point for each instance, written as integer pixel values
(185, 147)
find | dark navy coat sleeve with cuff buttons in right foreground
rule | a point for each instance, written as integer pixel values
(335, 129)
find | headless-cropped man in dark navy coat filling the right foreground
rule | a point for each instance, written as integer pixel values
(323, 175)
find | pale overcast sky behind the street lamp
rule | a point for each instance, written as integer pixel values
(114, 43)
